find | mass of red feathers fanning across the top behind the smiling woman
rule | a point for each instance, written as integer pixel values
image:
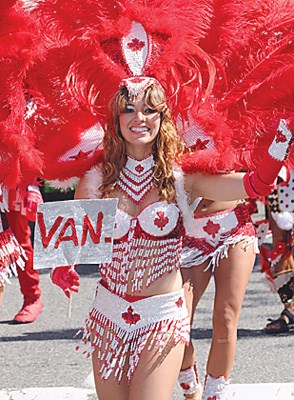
(226, 67)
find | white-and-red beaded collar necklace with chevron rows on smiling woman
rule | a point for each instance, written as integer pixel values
(136, 178)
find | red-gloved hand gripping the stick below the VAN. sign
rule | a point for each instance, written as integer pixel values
(66, 278)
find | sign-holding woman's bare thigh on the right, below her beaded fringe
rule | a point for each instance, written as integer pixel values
(155, 376)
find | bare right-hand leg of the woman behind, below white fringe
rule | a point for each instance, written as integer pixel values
(231, 278)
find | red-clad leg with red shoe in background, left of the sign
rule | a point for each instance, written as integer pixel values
(29, 278)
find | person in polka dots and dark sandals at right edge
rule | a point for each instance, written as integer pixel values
(278, 263)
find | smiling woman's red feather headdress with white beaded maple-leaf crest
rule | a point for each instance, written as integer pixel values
(129, 42)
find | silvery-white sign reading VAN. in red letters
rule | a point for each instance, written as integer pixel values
(74, 232)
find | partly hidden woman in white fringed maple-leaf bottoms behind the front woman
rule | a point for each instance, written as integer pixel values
(223, 245)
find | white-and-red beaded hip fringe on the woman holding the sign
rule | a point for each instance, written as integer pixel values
(120, 348)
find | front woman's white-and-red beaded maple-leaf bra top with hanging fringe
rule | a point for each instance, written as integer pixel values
(145, 248)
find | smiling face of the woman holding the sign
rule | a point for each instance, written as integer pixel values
(139, 125)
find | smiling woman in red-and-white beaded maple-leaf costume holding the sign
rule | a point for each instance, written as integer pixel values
(141, 146)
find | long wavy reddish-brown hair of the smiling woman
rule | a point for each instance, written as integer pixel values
(167, 146)
